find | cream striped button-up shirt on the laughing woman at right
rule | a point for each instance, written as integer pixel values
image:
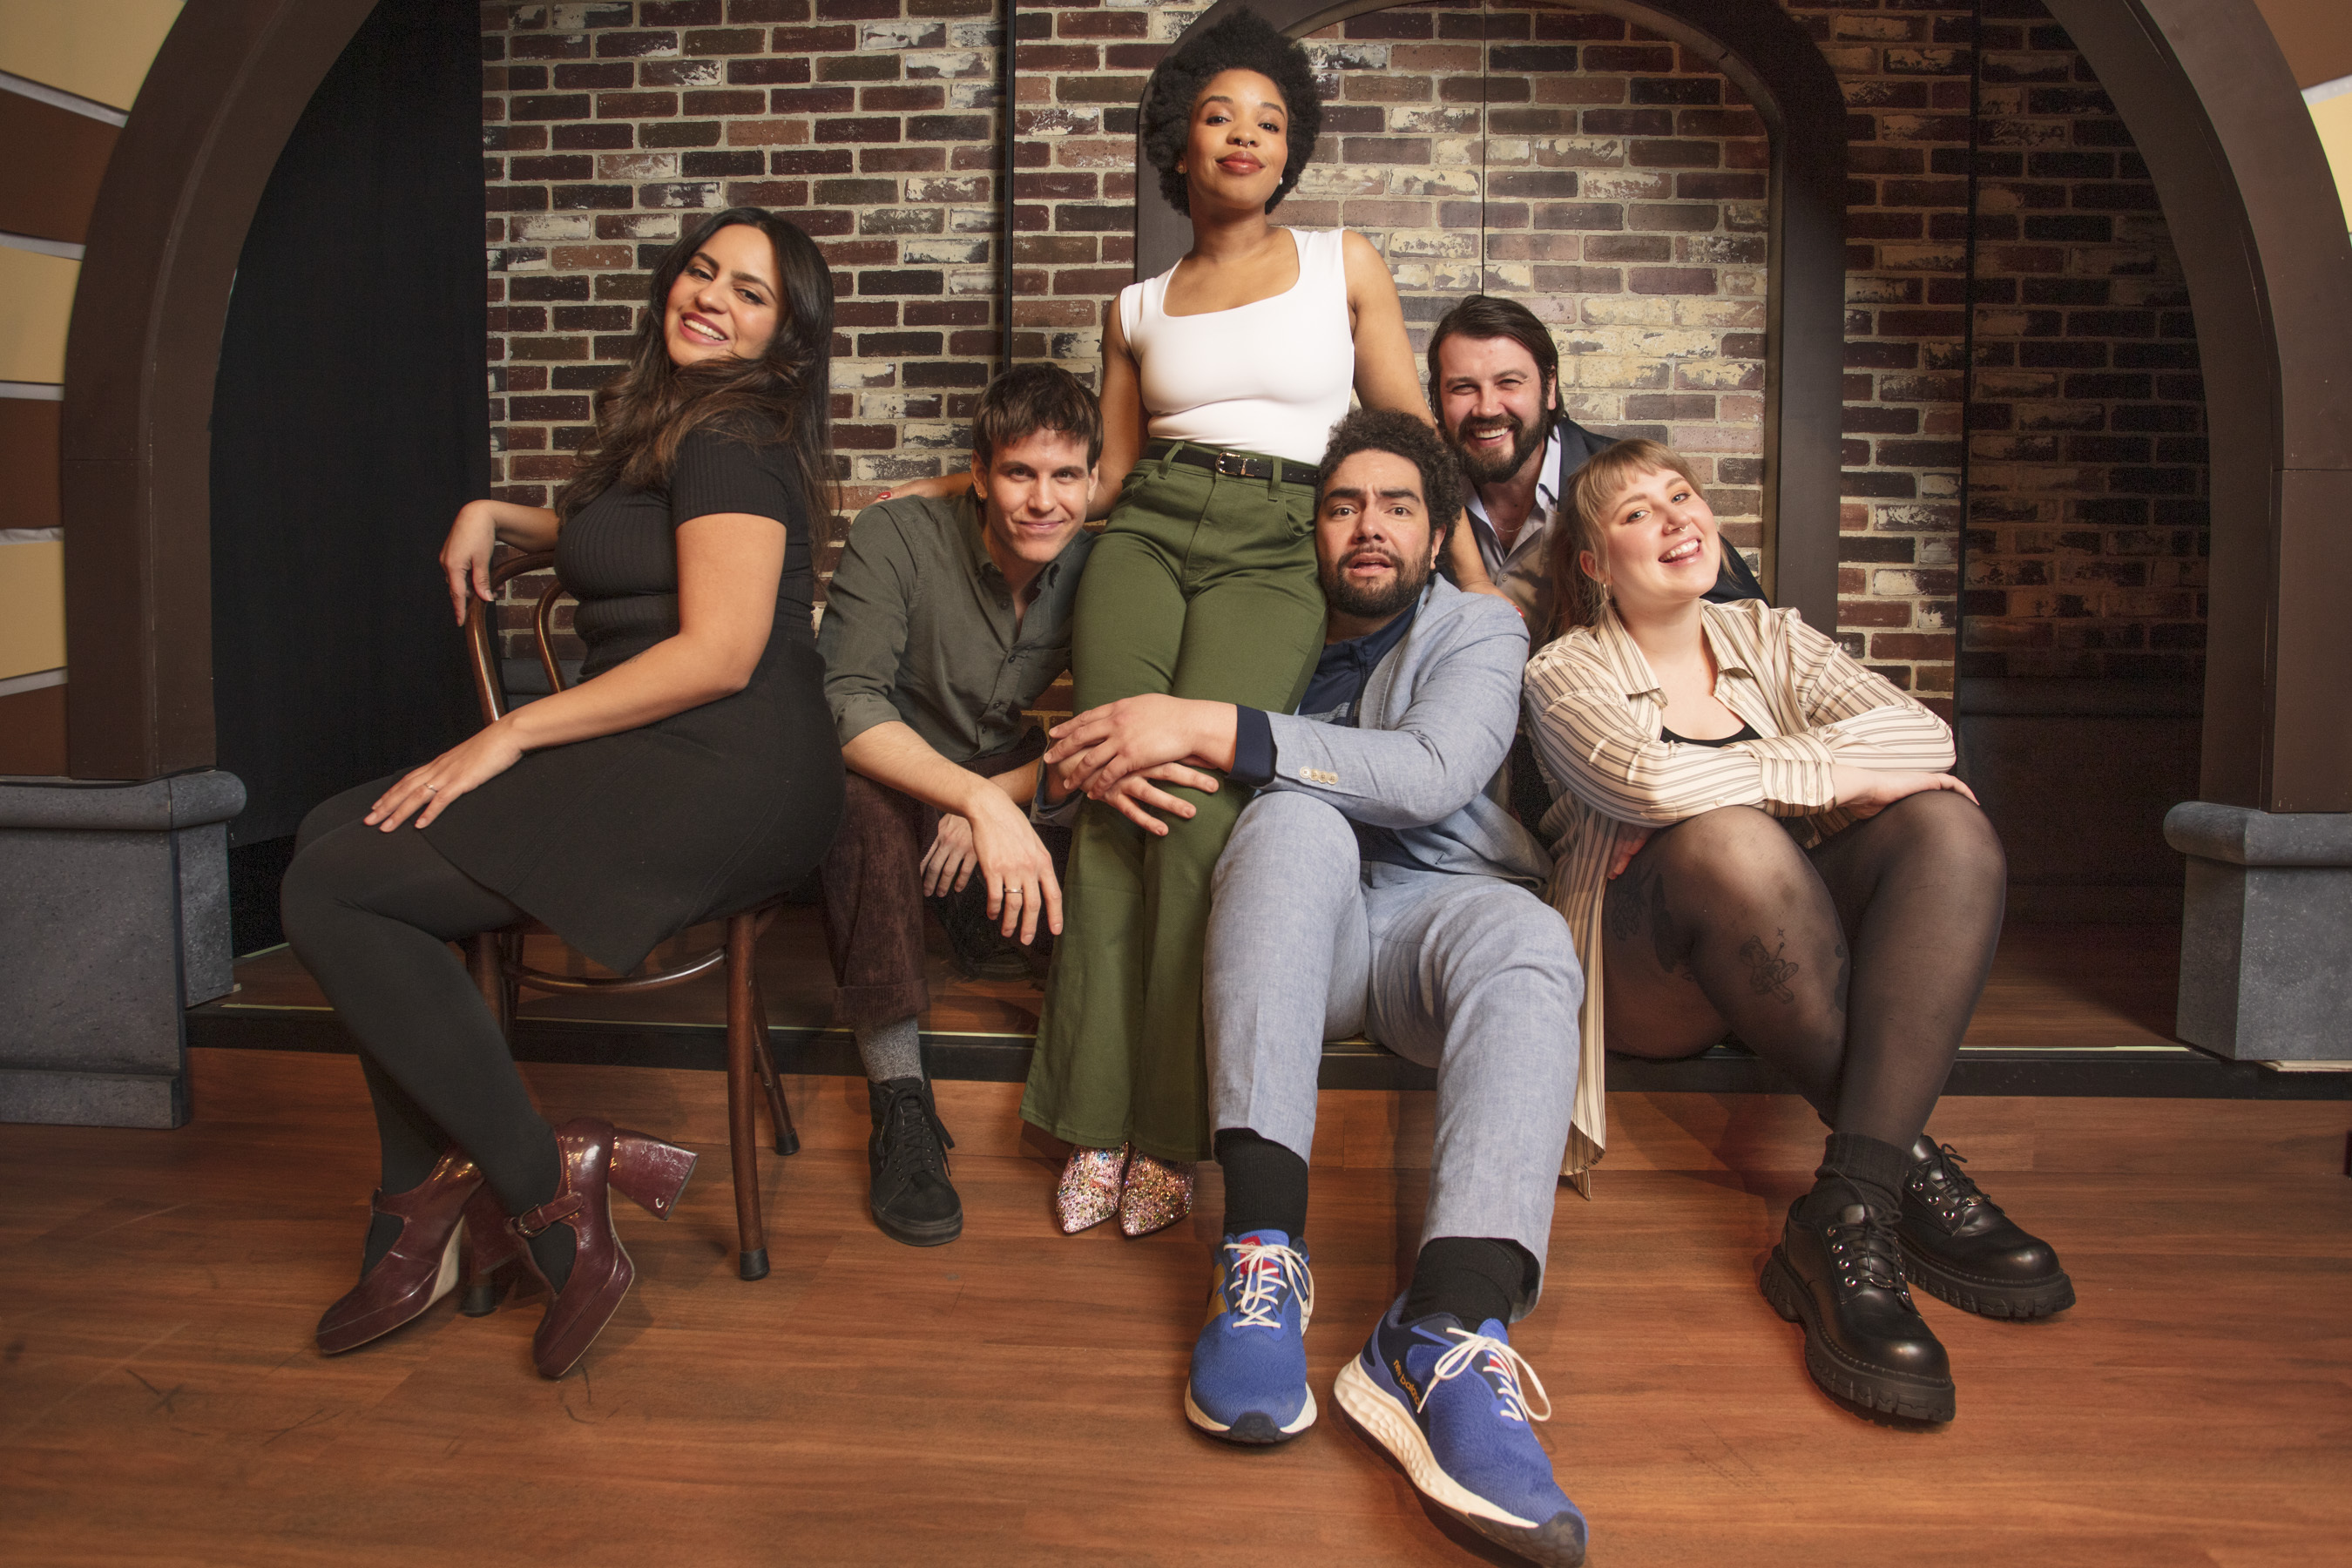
(1596, 711)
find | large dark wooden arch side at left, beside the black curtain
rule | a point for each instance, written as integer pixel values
(142, 354)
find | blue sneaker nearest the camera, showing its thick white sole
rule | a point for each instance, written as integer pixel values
(1452, 1409)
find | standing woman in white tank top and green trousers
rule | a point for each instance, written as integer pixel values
(1222, 382)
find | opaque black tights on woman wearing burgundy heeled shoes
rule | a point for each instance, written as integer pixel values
(373, 918)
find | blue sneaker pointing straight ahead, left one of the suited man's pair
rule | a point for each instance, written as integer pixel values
(1250, 1365)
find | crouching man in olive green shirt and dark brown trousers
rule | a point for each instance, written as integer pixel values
(944, 622)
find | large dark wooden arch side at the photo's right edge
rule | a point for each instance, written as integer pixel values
(2261, 239)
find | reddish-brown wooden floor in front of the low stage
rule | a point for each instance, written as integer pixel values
(1017, 1395)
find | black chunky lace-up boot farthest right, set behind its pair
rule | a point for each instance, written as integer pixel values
(1960, 1247)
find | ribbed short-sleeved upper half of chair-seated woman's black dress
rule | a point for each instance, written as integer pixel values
(620, 561)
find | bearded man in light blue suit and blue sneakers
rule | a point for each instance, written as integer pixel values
(1379, 885)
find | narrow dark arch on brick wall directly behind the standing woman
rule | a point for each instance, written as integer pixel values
(1793, 88)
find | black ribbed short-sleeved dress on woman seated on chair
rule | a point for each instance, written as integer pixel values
(624, 840)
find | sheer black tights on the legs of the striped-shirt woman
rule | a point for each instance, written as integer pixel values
(1850, 967)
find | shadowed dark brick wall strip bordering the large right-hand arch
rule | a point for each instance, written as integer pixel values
(2087, 518)
